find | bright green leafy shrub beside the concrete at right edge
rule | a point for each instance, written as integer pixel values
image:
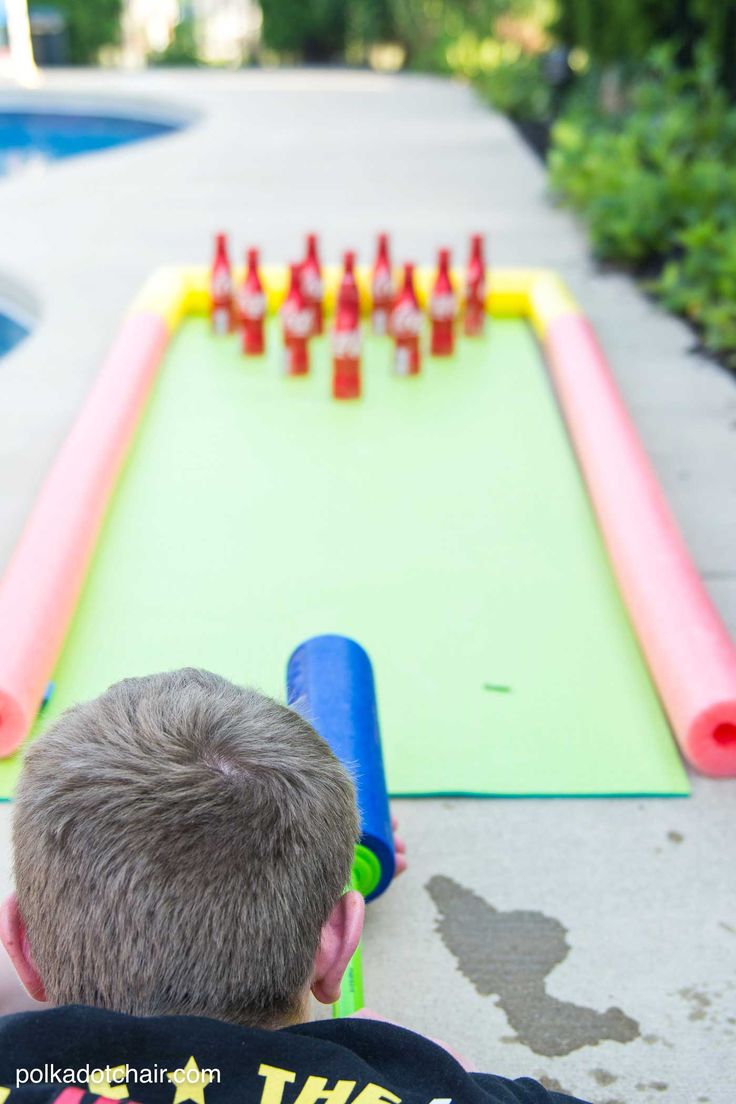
(657, 186)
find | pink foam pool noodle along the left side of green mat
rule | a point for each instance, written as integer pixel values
(40, 589)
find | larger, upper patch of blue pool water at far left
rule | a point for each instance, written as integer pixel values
(28, 136)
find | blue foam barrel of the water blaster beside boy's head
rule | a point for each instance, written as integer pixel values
(330, 684)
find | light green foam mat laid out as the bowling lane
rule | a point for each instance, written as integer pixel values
(442, 522)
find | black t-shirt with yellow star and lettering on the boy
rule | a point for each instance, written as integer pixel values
(180, 1059)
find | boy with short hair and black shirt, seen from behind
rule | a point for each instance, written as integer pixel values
(182, 851)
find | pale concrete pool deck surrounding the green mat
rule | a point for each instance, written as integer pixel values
(624, 911)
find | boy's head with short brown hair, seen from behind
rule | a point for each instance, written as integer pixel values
(183, 846)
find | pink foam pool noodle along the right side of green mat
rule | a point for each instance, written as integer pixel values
(690, 654)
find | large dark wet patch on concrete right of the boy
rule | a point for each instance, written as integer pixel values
(510, 956)
